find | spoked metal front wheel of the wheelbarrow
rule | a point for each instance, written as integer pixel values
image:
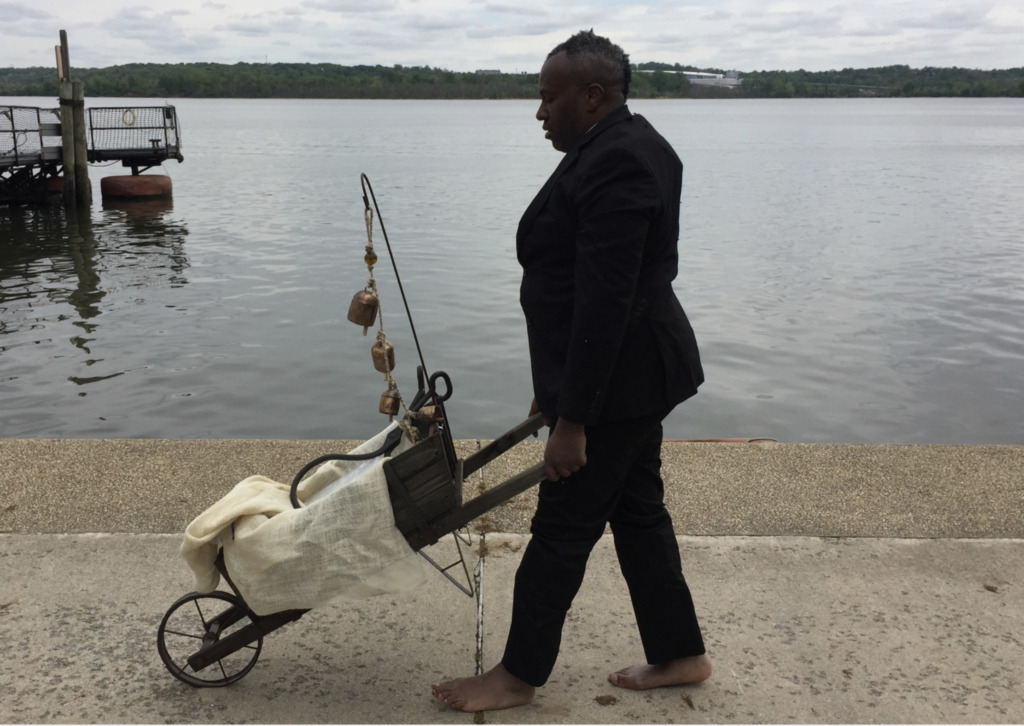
(199, 620)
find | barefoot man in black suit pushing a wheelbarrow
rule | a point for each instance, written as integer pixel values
(612, 354)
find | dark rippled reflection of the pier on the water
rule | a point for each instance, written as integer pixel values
(65, 276)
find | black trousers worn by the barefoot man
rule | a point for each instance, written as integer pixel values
(620, 486)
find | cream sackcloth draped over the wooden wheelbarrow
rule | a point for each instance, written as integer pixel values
(344, 543)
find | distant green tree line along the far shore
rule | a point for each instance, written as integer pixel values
(653, 81)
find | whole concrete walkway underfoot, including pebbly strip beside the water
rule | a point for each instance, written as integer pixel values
(836, 584)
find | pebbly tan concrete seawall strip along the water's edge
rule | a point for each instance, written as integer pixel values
(146, 486)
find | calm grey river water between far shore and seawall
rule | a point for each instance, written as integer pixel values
(855, 270)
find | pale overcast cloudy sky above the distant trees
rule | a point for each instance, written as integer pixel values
(516, 35)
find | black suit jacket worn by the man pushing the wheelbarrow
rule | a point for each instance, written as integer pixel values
(609, 340)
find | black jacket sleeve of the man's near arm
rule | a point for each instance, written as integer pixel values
(617, 199)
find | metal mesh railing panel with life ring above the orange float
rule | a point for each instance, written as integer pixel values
(136, 129)
